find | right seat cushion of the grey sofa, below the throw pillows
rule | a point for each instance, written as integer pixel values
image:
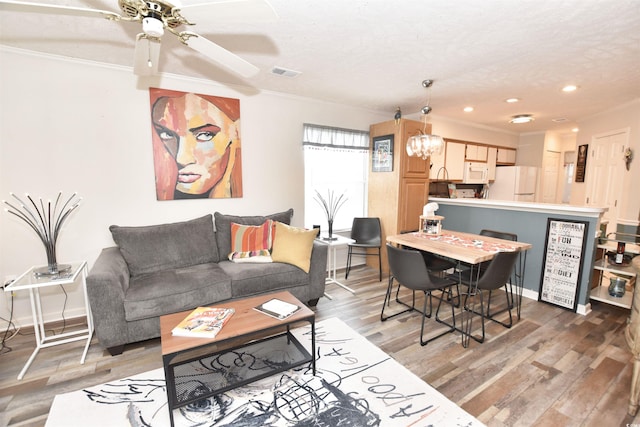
(253, 279)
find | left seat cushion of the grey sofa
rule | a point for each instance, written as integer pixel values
(164, 292)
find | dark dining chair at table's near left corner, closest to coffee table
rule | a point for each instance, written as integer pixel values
(408, 268)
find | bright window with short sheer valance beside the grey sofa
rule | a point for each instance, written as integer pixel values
(335, 160)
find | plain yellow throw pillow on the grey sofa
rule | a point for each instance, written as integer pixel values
(293, 245)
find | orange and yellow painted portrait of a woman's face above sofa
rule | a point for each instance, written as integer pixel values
(196, 145)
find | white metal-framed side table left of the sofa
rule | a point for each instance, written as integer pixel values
(29, 281)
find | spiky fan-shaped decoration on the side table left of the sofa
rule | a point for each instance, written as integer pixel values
(46, 220)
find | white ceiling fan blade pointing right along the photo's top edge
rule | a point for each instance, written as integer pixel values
(227, 11)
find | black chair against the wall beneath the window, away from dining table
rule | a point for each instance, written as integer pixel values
(367, 235)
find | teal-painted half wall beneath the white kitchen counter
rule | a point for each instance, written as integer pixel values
(531, 227)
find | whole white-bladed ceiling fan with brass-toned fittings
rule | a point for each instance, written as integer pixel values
(156, 16)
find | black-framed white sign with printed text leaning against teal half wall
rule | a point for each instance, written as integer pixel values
(562, 261)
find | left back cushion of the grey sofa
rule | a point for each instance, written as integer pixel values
(153, 248)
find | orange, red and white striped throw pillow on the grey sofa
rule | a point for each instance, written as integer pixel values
(251, 243)
